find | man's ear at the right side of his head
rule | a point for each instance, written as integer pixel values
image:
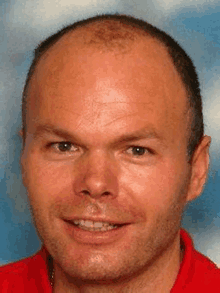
(199, 168)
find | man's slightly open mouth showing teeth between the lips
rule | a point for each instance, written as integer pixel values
(95, 226)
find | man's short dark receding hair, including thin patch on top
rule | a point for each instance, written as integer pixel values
(110, 37)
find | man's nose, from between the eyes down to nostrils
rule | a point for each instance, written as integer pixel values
(96, 176)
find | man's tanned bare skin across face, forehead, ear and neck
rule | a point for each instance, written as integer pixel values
(97, 97)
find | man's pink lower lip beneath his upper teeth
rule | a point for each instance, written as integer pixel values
(92, 237)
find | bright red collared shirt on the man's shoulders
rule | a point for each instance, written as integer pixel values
(197, 273)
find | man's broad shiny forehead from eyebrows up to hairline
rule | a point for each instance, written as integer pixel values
(139, 82)
